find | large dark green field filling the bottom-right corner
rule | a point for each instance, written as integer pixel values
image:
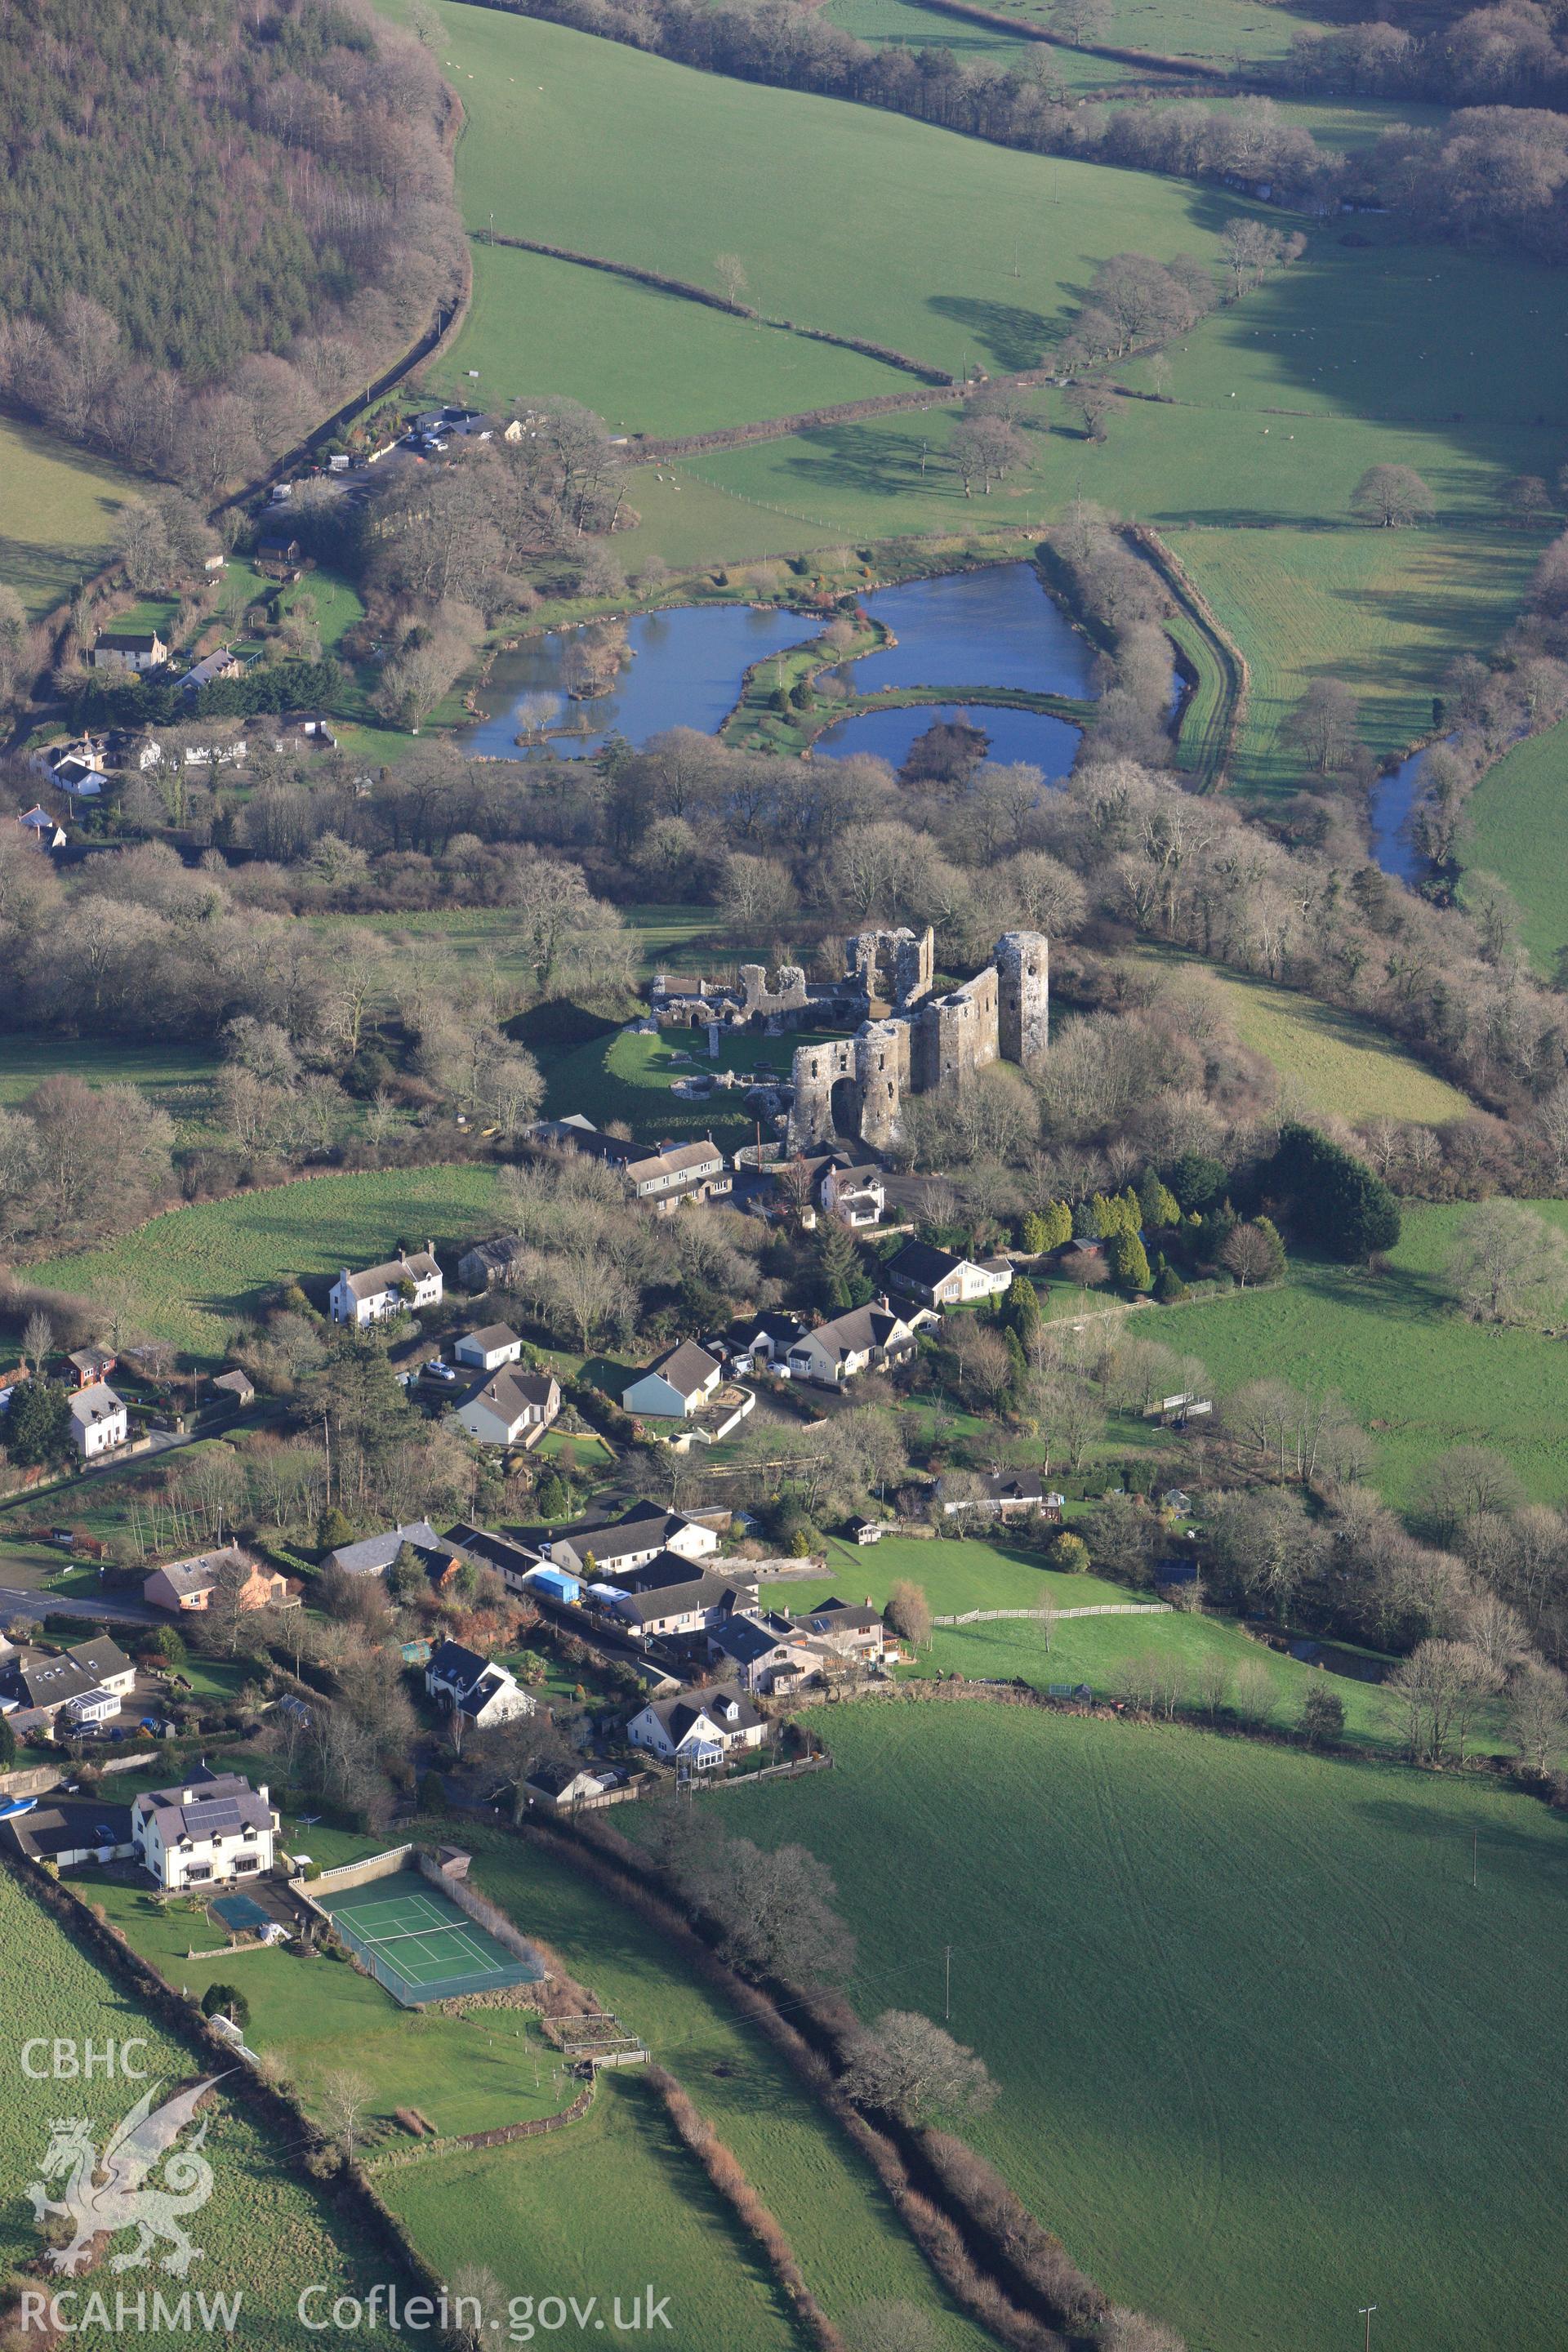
(1264, 2052)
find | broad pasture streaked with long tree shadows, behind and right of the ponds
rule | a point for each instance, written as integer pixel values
(1278, 406)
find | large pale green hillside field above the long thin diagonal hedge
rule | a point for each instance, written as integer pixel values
(850, 220)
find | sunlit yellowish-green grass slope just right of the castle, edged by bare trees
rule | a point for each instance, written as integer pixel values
(1327, 1060)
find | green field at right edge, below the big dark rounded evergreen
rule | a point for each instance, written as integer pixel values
(1412, 1368)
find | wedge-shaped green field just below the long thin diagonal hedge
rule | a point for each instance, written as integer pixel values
(643, 359)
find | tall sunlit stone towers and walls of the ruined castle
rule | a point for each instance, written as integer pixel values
(918, 1043)
